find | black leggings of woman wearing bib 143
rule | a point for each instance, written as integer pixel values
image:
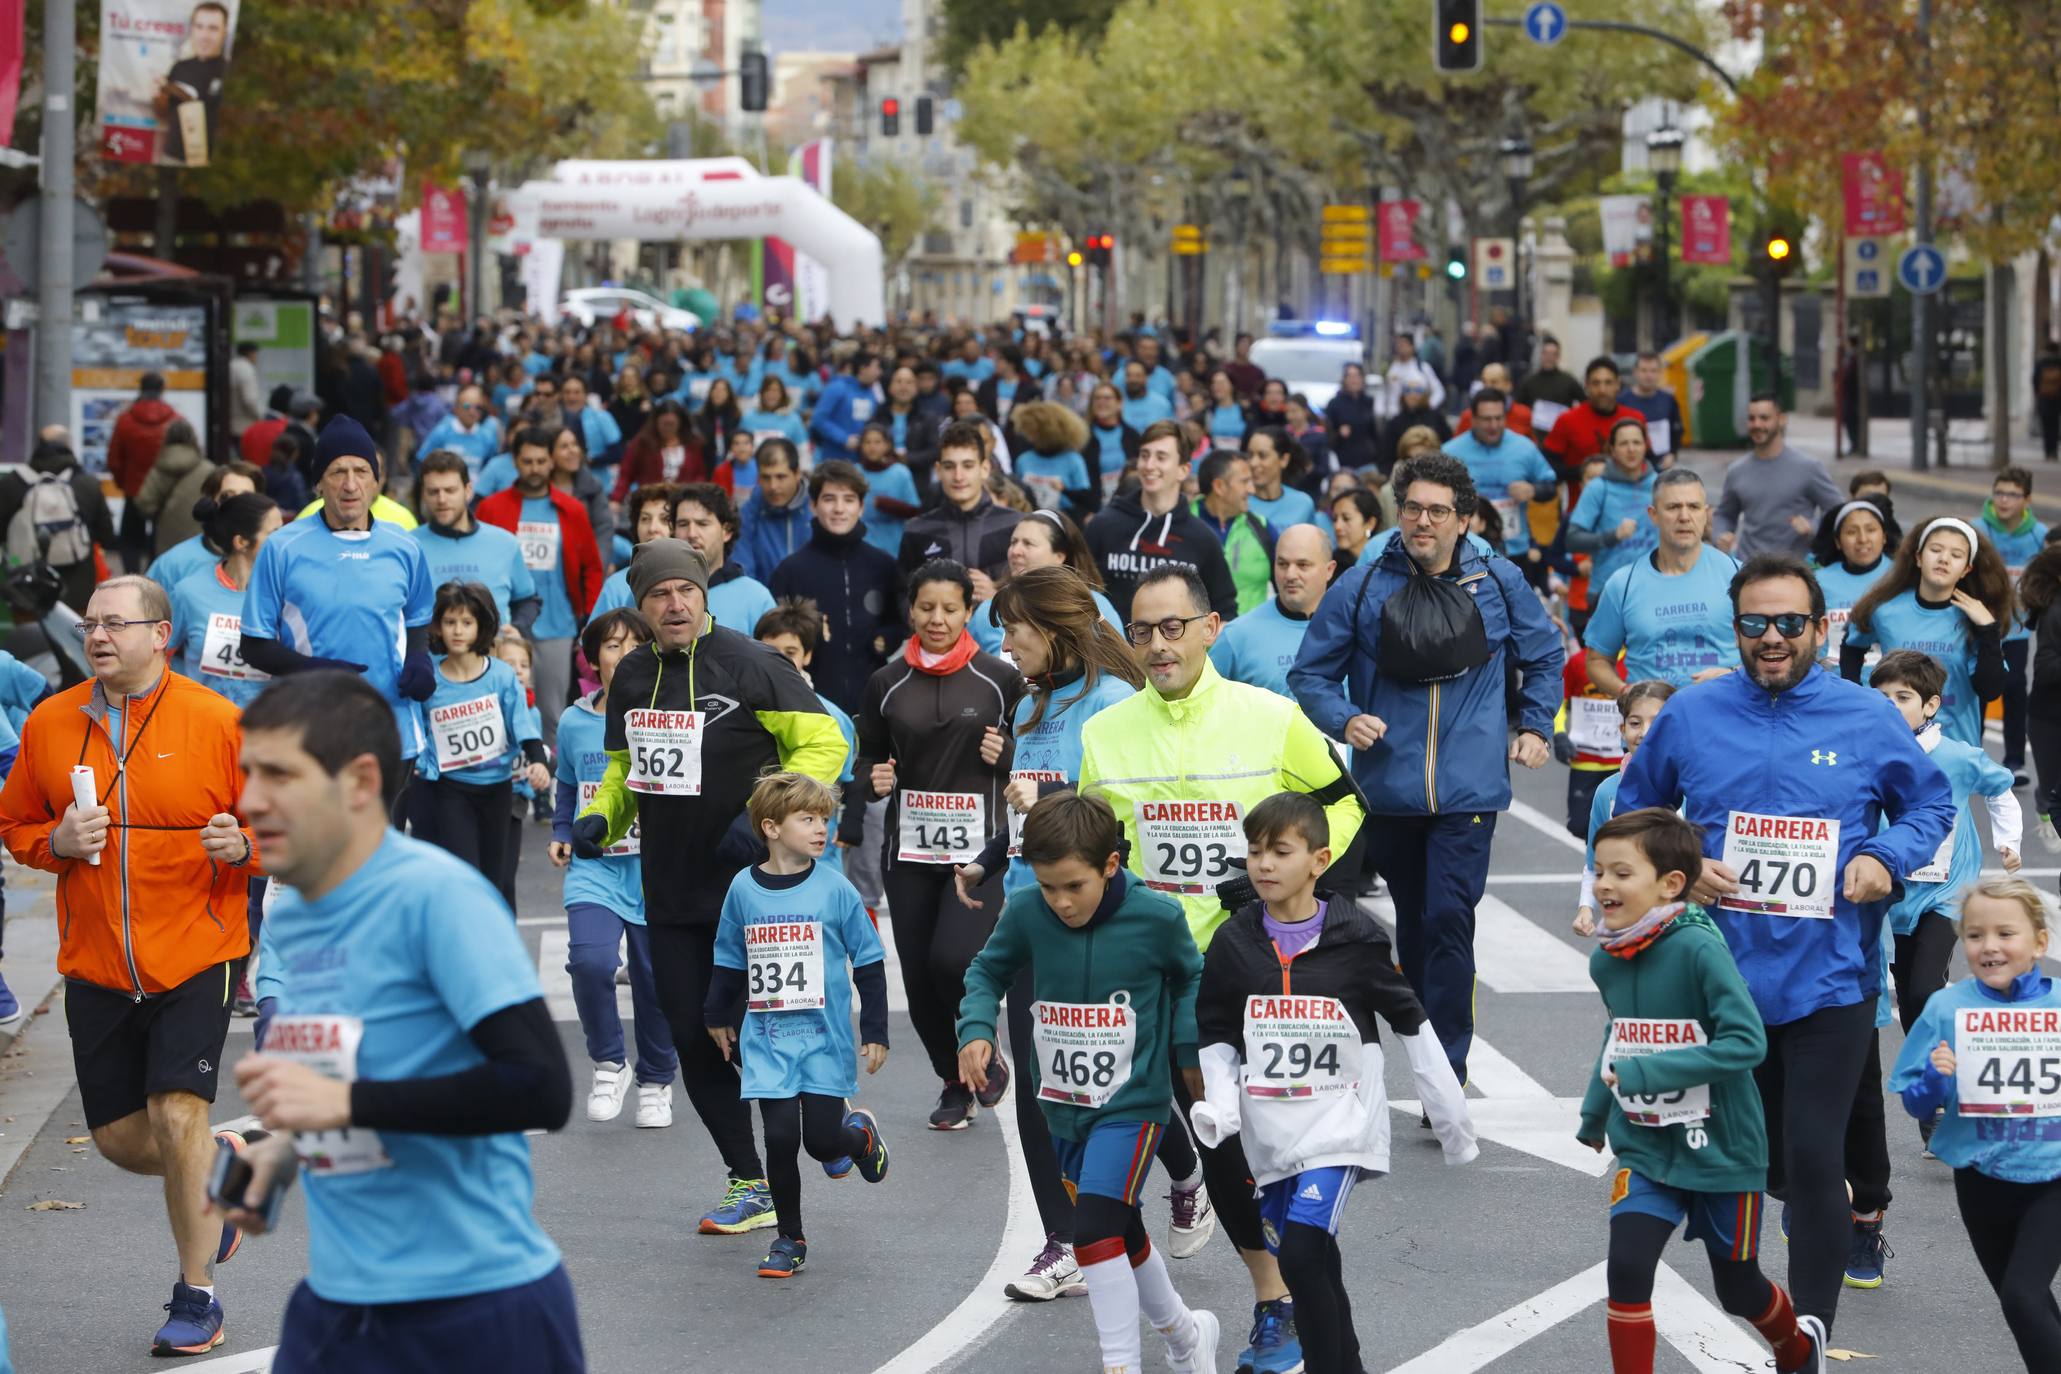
(937, 936)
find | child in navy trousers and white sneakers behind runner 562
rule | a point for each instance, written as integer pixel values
(605, 901)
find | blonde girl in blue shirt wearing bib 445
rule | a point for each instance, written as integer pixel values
(1984, 1052)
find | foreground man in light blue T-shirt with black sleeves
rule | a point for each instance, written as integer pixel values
(407, 1056)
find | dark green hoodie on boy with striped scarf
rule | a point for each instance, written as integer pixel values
(1687, 973)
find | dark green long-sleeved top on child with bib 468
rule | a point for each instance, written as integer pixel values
(1139, 947)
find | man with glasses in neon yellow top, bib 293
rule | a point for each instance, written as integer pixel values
(1182, 763)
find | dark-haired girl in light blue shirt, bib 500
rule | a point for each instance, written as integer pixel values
(479, 736)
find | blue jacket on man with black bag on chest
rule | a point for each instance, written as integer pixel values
(1448, 743)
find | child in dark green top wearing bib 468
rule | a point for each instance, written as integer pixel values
(1116, 975)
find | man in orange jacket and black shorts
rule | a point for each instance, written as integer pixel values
(154, 883)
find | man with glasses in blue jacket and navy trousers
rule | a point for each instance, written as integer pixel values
(1431, 757)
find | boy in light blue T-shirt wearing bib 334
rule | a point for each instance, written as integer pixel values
(784, 944)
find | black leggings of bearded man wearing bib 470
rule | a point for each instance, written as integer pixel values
(1806, 1093)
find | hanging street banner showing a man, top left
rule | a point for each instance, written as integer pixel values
(162, 79)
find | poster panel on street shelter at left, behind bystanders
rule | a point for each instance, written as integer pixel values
(112, 353)
